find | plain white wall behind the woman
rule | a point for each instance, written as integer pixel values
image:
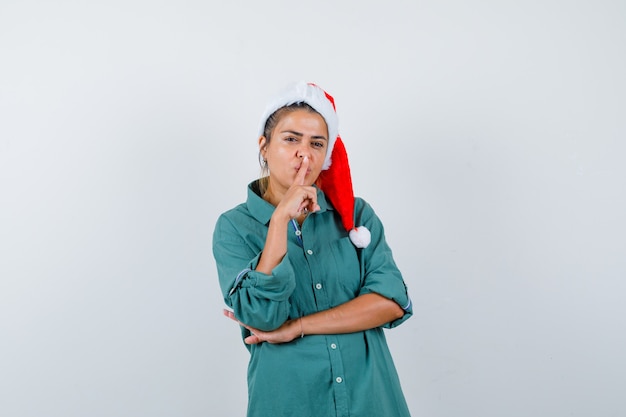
(489, 136)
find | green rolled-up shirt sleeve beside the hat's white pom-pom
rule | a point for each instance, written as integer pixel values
(382, 275)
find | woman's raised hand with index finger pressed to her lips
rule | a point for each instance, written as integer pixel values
(299, 198)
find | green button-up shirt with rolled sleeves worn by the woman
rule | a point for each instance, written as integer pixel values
(318, 375)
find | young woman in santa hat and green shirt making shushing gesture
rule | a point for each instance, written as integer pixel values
(311, 292)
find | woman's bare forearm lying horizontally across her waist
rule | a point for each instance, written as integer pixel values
(362, 313)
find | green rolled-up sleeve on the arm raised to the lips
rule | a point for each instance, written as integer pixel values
(257, 299)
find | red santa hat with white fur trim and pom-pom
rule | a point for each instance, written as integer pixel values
(335, 180)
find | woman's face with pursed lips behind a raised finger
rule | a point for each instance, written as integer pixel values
(297, 134)
